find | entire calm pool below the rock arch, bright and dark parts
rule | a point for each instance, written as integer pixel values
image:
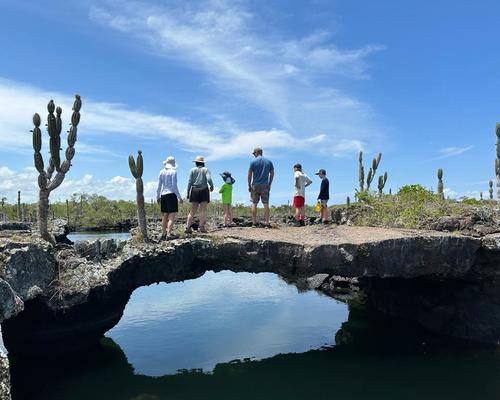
(251, 336)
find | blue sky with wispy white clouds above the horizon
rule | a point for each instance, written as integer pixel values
(309, 81)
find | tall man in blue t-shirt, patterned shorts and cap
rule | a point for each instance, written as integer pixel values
(260, 178)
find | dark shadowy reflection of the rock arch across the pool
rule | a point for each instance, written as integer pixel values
(362, 367)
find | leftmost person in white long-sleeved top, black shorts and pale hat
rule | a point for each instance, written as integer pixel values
(168, 196)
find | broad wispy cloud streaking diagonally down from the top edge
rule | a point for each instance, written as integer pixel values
(291, 79)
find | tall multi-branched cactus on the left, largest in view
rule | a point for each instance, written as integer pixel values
(47, 183)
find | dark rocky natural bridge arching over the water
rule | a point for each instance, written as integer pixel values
(69, 296)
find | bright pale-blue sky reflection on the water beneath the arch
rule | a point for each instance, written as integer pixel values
(221, 317)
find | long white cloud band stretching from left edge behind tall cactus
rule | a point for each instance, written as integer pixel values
(101, 118)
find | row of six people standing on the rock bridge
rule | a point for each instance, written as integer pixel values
(200, 185)
